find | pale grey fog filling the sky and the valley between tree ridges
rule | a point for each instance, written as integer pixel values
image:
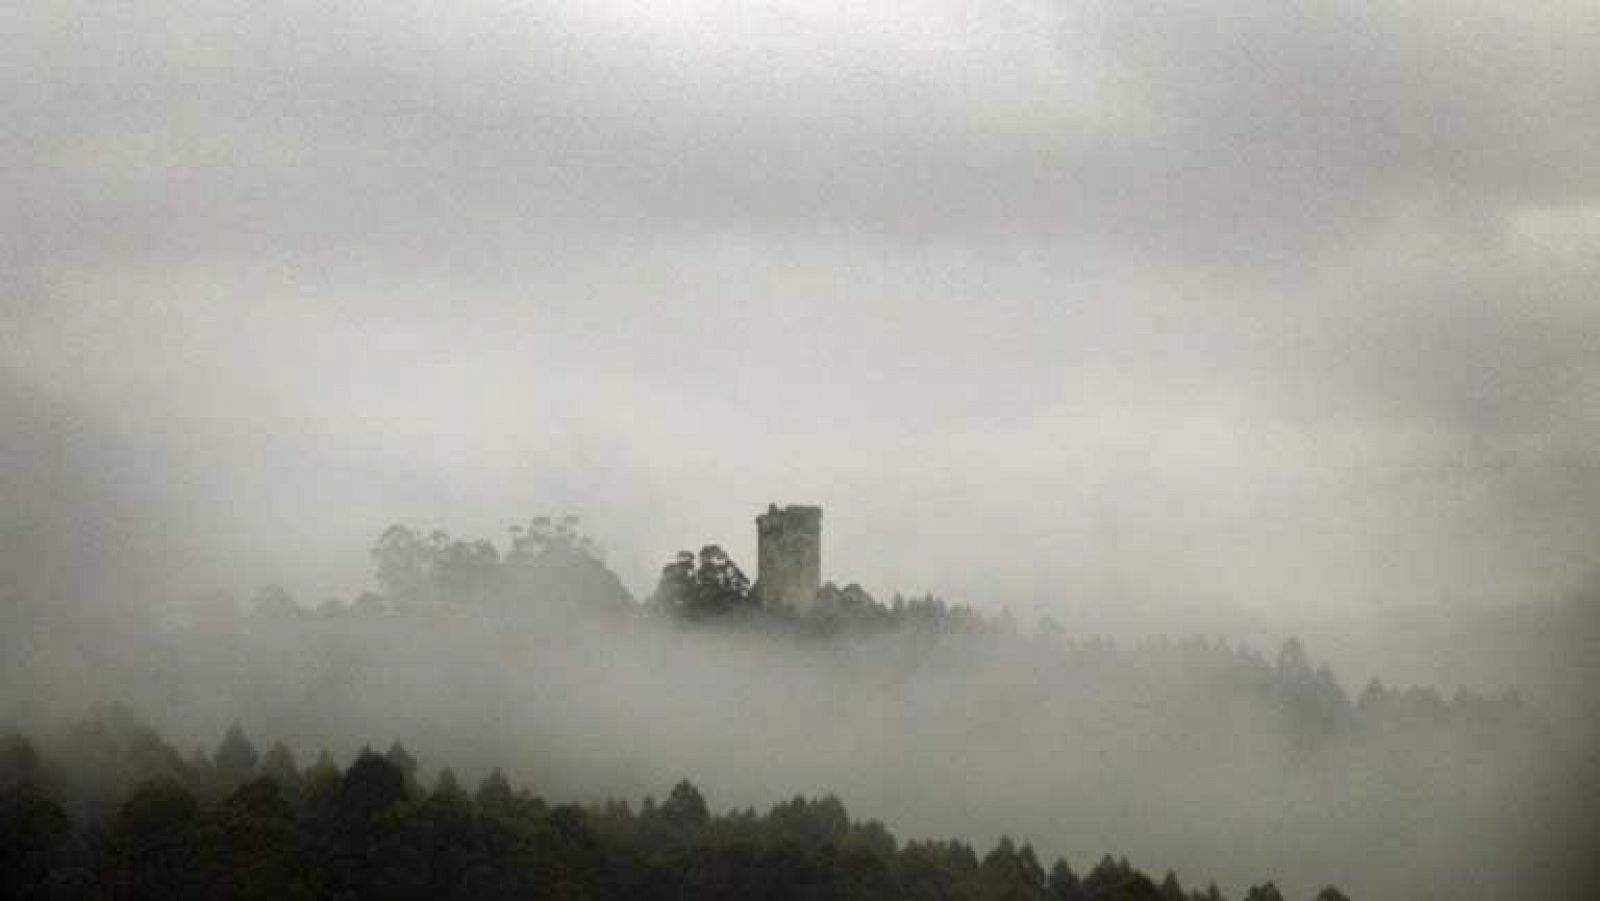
(1241, 324)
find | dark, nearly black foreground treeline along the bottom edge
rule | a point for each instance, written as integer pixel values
(121, 814)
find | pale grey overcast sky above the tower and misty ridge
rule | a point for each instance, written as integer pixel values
(1287, 306)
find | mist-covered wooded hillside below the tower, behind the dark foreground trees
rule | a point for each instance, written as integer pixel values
(1191, 753)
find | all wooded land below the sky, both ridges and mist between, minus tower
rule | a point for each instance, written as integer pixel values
(534, 665)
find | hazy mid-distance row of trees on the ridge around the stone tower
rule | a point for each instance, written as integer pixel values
(551, 574)
